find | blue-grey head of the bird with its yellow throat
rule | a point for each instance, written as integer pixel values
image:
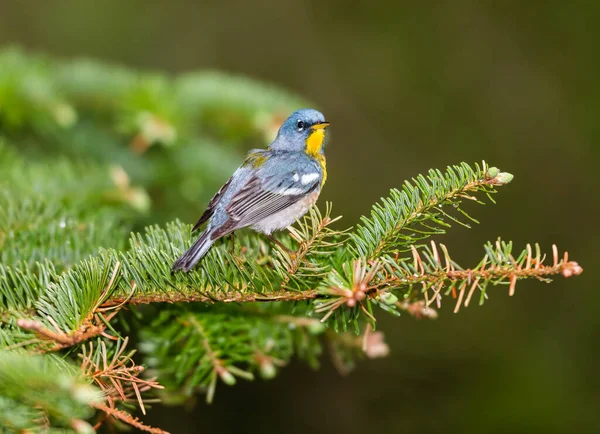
(304, 131)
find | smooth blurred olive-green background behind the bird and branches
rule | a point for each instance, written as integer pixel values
(407, 86)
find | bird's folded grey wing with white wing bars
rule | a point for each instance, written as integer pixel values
(261, 197)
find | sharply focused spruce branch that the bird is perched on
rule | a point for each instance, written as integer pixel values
(315, 272)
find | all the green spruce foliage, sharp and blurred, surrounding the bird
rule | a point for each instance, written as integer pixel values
(90, 152)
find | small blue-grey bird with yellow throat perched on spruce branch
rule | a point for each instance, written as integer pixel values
(270, 190)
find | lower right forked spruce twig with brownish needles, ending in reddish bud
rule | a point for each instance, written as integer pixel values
(359, 284)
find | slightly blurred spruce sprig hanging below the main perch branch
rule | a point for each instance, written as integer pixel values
(192, 348)
